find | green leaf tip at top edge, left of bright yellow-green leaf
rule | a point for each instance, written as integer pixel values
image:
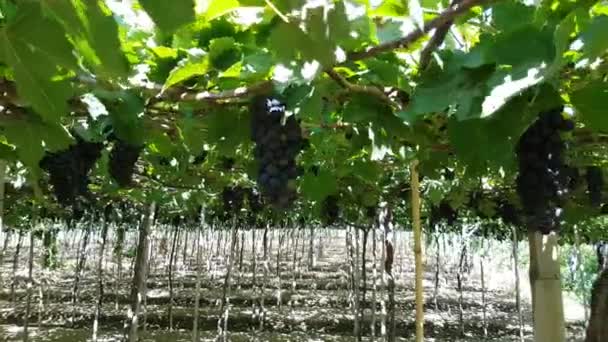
(169, 15)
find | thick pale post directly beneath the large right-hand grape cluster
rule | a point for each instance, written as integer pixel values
(545, 281)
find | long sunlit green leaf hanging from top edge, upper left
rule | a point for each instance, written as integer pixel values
(95, 33)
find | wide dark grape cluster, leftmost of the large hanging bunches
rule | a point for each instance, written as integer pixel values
(69, 170)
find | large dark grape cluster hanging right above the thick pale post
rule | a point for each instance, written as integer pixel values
(544, 179)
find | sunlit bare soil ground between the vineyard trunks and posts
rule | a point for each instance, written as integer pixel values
(304, 304)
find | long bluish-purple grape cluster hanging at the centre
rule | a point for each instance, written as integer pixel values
(278, 141)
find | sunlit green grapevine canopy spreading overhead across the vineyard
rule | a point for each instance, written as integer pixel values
(375, 84)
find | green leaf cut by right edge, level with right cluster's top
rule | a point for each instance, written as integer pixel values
(589, 102)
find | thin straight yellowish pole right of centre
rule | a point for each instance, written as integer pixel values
(415, 186)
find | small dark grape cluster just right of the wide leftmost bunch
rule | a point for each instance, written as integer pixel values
(122, 162)
